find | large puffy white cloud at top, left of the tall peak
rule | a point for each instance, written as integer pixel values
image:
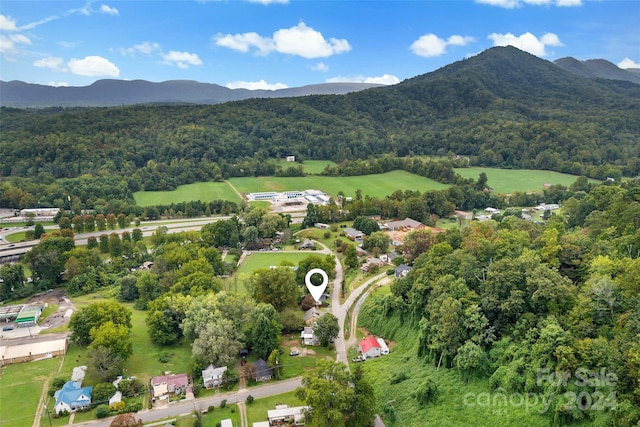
(299, 40)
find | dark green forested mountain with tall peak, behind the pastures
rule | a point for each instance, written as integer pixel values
(502, 107)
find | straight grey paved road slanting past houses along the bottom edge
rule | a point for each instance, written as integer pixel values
(187, 407)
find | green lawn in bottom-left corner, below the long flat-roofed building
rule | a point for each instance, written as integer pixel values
(20, 388)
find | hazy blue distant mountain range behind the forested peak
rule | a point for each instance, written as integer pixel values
(108, 92)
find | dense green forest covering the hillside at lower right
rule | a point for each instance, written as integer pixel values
(548, 310)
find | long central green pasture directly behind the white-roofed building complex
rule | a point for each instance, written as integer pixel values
(378, 185)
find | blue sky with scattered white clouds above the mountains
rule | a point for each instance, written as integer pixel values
(270, 44)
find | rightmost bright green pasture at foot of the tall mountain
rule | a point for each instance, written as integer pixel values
(514, 180)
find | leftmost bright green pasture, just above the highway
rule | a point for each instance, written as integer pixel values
(204, 191)
